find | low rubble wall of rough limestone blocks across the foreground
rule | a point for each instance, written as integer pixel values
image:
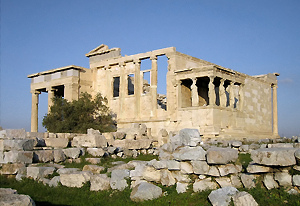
(184, 160)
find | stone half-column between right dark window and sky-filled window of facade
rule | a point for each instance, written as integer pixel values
(138, 86)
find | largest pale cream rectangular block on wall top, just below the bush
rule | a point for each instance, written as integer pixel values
(89, 141)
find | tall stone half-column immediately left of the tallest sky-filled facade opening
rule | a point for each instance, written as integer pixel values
(153, 85)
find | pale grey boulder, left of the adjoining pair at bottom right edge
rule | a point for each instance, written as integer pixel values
(222, 196)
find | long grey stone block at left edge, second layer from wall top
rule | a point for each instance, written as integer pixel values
(14, 144)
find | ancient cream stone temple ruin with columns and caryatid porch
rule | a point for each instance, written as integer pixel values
(217, 101)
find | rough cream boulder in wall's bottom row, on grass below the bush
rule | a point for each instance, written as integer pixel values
(74, 179)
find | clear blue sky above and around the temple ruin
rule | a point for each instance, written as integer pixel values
(253, 37)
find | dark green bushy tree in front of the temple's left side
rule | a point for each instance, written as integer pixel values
(79, 115)
